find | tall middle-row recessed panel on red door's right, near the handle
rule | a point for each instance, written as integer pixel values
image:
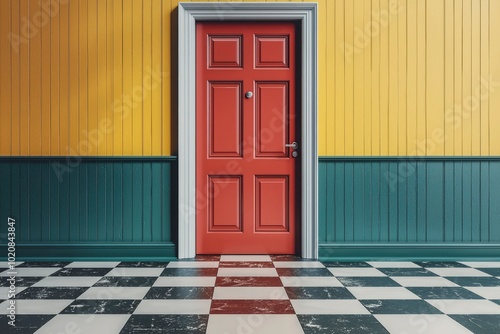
(271, 123)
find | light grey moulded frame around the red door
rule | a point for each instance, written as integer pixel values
(306, 15)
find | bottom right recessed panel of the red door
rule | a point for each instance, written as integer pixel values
(271, 203)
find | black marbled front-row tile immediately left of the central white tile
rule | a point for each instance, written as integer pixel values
(176, 323)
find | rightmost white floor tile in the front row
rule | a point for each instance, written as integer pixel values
(420, 324)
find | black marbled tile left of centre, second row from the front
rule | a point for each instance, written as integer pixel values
(108, 306)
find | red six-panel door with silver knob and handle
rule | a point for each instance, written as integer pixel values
(246, 116)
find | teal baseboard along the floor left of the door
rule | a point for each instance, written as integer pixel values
(95, 252)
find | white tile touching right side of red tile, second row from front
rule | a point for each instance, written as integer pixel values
(316, 306)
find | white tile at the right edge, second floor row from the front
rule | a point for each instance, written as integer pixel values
(465, 306)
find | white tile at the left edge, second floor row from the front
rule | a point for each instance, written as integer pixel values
(37, 306)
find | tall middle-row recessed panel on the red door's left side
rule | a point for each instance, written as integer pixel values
(225, 119)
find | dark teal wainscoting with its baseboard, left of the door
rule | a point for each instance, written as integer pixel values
(90, 207)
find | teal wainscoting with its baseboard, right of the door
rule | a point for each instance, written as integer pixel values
(412, 208)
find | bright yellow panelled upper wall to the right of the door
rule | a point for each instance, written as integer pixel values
(416, 85)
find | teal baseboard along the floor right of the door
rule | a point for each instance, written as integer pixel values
(414, 252)
